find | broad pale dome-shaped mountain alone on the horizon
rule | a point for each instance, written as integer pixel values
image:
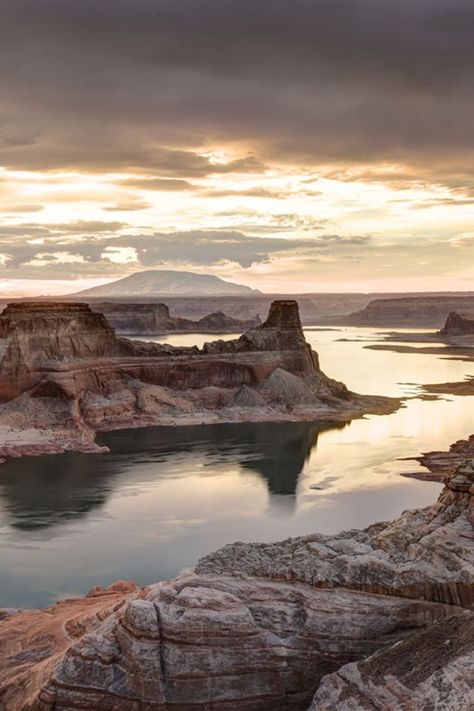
(156, 282)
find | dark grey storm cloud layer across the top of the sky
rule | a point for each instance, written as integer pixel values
(141, 84)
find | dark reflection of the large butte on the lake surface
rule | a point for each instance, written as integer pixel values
(40, 492)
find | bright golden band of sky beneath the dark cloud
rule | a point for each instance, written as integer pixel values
(290, 204)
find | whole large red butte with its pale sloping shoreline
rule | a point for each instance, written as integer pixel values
(65, 374)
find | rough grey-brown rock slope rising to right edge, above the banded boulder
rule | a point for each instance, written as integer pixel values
(406, 558)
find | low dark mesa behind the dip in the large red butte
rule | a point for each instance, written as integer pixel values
(142, 319)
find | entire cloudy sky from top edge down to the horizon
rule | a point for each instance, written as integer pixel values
(289, 145)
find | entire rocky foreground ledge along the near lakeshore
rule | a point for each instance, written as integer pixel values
(380, 619)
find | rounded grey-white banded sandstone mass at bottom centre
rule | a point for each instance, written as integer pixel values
(210, 643)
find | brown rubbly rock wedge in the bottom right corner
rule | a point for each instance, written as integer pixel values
(432, 669)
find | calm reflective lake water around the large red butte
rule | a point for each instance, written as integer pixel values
(164, 497)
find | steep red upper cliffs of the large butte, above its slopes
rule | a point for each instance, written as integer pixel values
(65, 343)
